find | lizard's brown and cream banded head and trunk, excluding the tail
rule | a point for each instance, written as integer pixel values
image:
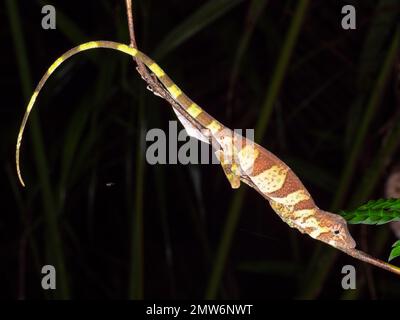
(289, 198)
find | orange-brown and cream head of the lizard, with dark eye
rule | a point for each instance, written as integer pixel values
(338, 234)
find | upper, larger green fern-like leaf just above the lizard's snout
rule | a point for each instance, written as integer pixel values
(377, 212)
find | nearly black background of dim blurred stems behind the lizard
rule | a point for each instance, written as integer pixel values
(116, 227)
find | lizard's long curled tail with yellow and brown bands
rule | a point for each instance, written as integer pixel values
(192, 109)
